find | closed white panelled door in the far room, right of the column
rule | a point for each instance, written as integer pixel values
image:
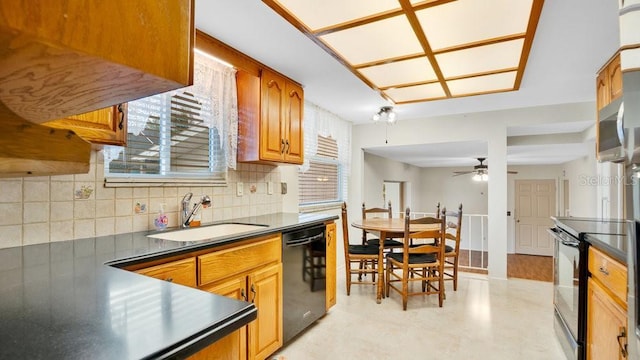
(535, 204)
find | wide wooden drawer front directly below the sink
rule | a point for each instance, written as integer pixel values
(235, 260)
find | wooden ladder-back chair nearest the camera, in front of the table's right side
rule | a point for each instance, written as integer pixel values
(425, 262)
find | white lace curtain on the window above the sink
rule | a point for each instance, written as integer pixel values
(217, 82)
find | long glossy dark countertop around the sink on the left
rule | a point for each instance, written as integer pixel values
(60, 301)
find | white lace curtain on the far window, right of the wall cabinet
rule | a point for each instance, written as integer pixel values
(318, 121)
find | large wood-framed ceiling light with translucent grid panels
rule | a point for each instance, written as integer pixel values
(413, 51)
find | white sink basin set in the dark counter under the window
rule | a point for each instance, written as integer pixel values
(207, 232)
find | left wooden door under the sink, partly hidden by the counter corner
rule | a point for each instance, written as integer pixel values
(234, 345)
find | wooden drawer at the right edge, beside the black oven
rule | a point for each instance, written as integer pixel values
(611, 273)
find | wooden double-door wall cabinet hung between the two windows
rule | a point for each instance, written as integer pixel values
(270, 127)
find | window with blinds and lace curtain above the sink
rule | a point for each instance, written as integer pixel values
(178, 135)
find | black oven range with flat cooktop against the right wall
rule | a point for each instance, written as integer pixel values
(570, 277)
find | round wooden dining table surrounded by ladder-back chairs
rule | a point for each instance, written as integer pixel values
(388, 228)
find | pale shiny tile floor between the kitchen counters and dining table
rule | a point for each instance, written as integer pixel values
(484, 319)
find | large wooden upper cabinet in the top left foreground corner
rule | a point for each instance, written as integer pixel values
(60, 58)
